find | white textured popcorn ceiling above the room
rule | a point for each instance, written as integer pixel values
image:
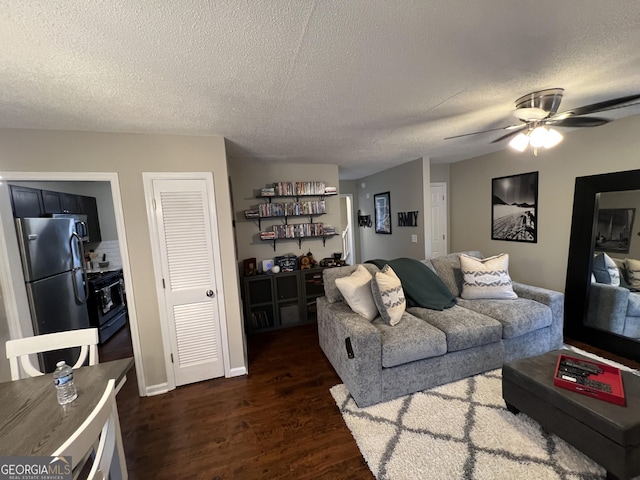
(361, 83)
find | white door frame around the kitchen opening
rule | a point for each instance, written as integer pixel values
(11, 278)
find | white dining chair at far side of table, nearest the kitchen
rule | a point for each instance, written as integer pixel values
(19, 350)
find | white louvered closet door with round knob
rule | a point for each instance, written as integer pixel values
(185, 233)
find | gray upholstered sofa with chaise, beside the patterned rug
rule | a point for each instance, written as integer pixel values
(430, 347)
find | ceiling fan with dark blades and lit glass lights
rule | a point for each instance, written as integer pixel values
(538, 111)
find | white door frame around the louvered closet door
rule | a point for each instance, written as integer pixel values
(147, 180)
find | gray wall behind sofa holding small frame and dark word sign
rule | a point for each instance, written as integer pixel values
(407, 184)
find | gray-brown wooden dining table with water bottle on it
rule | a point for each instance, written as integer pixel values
(32, 423)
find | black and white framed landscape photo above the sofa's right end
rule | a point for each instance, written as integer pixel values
(514, 208)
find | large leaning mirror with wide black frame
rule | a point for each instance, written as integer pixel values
(602, 293)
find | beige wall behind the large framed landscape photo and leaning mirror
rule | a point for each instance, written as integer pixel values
(585, 151)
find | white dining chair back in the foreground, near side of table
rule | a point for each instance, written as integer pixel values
(99, 427)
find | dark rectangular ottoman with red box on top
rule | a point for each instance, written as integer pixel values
(608, 433)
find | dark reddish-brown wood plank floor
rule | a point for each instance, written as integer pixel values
(278, 422)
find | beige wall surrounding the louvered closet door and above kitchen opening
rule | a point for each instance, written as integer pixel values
(129, 155)
